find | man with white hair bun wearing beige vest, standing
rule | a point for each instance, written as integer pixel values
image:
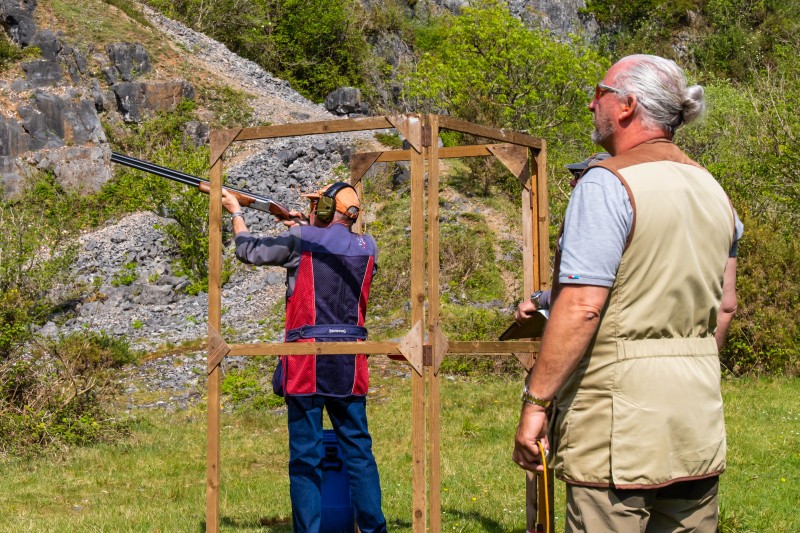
(644, 292)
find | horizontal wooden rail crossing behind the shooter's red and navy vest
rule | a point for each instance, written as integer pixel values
(315, 348)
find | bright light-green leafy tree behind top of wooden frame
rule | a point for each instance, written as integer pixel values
(485, 66)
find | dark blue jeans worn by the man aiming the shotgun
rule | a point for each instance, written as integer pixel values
(349, 419)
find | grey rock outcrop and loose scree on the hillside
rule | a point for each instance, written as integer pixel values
(53, 115)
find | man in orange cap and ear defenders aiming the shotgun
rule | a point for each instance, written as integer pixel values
(329, 273)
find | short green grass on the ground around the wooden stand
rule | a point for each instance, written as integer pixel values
(155, 480)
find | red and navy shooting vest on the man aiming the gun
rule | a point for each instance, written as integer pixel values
(329, 304)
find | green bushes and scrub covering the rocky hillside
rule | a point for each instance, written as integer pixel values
(482, 65)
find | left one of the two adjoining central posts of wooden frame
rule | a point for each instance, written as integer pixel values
(417, 315)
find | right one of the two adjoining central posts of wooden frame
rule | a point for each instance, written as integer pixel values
(434, 420)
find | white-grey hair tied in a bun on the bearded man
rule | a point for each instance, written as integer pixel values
(660, 88)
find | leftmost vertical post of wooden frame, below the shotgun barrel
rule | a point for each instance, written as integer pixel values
(214, 321)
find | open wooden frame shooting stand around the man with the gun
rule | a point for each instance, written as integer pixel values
(424, 346)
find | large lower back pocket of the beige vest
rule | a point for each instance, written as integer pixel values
(667, 420)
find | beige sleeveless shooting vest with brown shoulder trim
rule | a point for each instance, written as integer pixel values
(644, 409)
